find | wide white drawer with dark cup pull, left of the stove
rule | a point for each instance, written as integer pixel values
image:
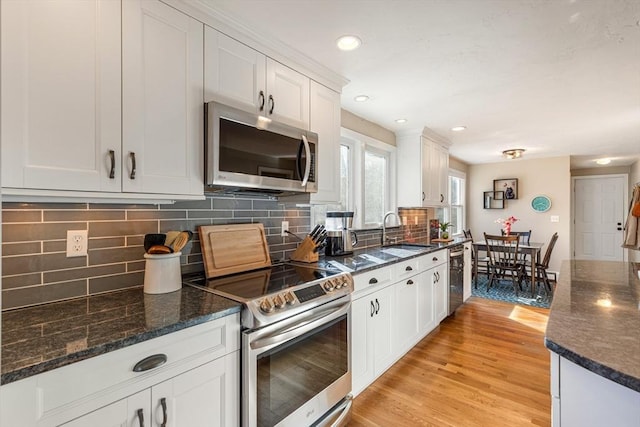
(108, 377)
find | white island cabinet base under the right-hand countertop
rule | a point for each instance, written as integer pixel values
(580, 397)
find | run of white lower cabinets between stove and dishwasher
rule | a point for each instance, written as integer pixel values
(389, 316)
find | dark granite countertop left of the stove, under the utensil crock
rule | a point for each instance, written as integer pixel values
(41, 338)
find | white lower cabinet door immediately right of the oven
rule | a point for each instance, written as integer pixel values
(362, 312)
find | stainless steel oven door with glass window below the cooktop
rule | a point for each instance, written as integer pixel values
(298, 369)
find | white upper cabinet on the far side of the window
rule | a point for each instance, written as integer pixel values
(423, 170)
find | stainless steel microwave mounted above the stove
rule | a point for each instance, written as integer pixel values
(251, 152)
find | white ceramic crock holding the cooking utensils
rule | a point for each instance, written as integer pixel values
(162, 273)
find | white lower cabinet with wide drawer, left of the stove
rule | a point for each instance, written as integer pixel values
(198, 385)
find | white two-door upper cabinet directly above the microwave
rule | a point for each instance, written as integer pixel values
(243, 77)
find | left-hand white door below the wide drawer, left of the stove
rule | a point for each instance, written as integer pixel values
(130, 412)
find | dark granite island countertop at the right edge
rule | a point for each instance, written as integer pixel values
(595, 319)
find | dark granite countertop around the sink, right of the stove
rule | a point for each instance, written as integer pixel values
(363, 260)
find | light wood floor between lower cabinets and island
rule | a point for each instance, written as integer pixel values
(485, 366)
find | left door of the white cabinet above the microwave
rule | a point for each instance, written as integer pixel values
(233, 72)
